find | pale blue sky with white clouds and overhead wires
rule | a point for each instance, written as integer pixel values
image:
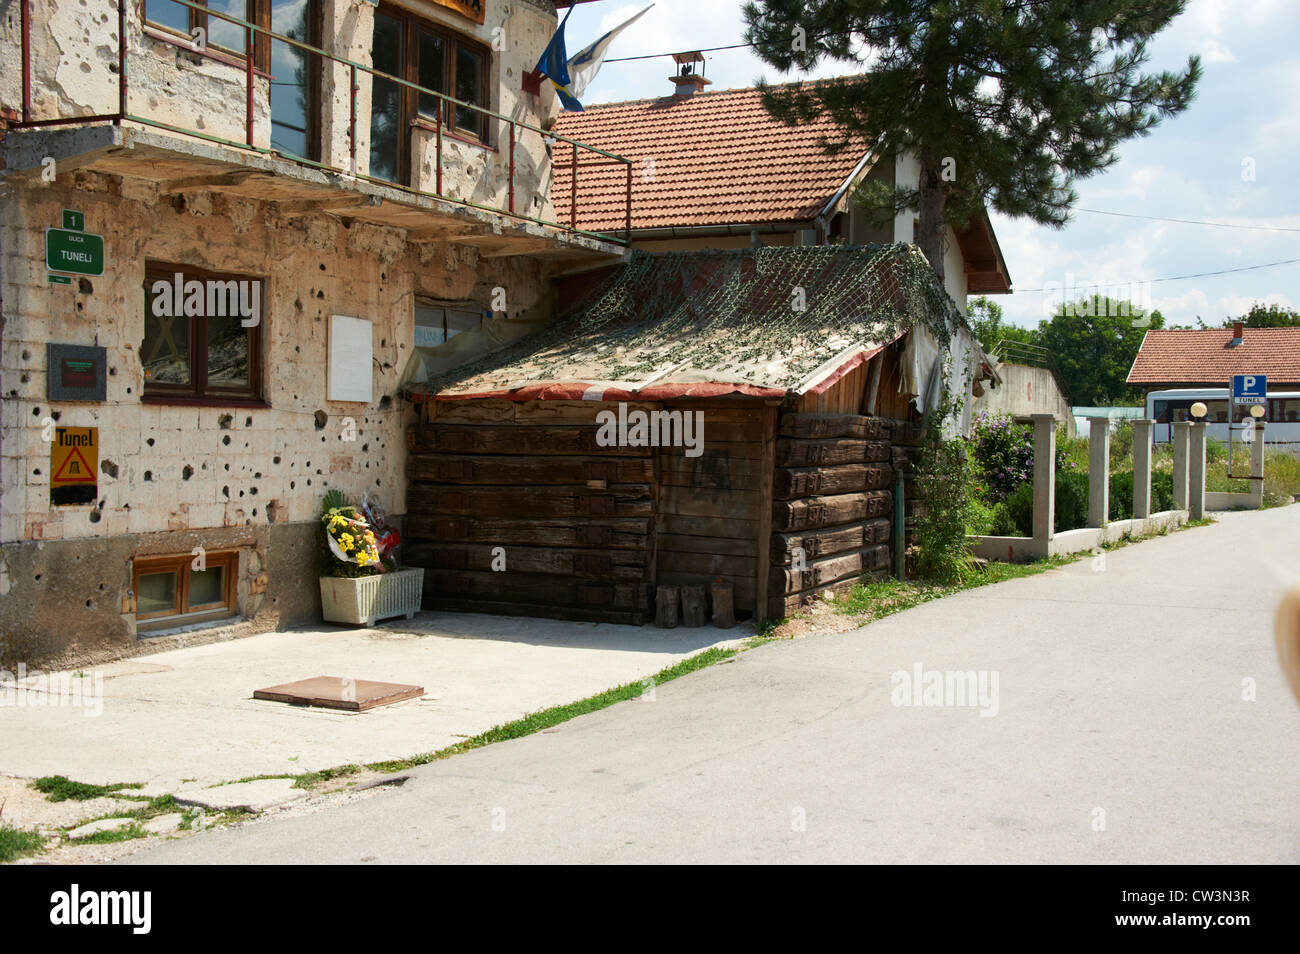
(1232, 158)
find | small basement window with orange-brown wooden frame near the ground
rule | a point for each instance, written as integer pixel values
(175, 592)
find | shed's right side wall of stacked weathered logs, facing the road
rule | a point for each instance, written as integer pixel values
(833, 506)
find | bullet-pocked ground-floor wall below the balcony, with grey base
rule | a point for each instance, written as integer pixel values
(175, 478)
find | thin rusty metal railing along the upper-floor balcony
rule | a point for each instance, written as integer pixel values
(253, 33)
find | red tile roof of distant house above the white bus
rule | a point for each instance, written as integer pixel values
(1197, 358)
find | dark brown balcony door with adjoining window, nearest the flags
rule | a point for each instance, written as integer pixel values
(421, 53)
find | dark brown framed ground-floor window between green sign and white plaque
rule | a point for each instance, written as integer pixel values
(197, 349)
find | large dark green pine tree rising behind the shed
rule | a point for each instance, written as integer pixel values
(1006, 103)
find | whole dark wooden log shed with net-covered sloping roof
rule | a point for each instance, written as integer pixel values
(518, 506)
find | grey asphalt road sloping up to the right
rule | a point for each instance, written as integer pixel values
(1120, 703)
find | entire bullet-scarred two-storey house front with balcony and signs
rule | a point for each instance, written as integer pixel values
(228, 249)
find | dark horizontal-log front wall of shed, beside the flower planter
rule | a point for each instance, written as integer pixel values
(515, 509)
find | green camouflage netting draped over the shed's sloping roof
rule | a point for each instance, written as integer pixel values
(694, 320)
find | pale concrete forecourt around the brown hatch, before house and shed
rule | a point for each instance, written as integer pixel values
(187, 719)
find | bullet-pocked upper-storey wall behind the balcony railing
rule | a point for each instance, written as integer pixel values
(75, 72)
